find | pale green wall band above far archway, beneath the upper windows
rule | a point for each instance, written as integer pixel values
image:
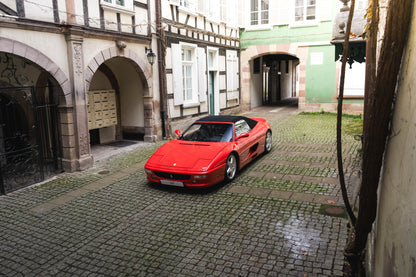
(282, 34)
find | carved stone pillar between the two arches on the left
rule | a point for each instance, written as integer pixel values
(82, 156)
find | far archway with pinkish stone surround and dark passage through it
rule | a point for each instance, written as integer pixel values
(271, 74)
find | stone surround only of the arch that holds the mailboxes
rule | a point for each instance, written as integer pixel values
(143, 72)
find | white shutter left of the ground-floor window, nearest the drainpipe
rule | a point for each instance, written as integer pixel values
(177, 74)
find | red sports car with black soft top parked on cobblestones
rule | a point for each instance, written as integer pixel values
(212, 149)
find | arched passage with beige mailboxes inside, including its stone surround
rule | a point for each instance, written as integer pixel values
(128, 111)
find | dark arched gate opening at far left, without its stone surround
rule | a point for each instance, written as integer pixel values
(30, 146)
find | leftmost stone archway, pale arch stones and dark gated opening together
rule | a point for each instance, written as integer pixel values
(32, 144)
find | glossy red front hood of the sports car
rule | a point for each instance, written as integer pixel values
(185, 155)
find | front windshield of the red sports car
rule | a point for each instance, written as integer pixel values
(209, 132)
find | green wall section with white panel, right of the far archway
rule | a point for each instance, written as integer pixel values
(320, 77)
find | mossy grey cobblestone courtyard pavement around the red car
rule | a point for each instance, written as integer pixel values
(110, 221)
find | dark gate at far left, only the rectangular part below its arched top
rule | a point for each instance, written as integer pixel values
(30, 148)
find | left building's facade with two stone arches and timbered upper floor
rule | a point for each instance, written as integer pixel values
(72, 74)
